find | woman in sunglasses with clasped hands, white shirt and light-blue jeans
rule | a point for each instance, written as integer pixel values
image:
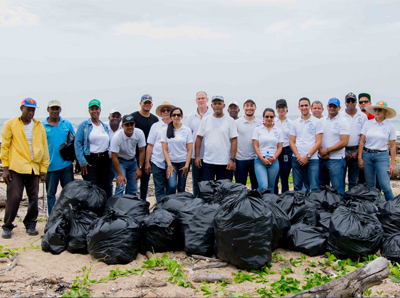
(267, 142)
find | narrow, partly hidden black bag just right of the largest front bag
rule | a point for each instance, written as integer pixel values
(280, 222)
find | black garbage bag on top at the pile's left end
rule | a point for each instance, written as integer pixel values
(90, 196)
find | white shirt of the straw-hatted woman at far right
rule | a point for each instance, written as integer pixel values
(377, 135)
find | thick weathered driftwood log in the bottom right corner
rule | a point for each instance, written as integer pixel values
(353, 284)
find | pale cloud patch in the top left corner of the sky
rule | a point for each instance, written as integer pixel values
(15, 16)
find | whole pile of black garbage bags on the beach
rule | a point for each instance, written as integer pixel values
(238, 225)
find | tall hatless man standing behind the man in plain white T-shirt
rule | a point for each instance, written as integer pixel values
(193, 121)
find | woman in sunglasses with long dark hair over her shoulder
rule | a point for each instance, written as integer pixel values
(177, 144)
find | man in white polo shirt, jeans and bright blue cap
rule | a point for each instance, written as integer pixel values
(332, 162)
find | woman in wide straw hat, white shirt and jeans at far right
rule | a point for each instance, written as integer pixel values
(373, 154)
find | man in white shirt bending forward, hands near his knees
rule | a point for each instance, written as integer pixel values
(123, 149)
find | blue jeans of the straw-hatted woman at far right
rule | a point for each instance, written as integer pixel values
(377, 164)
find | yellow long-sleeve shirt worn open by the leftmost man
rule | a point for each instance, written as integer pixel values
(15, 151)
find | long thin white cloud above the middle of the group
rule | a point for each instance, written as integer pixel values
(146, 29)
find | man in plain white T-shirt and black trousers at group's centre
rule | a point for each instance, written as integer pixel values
(220, 143)
